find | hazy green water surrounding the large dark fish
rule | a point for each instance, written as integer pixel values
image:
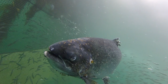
(140, 25)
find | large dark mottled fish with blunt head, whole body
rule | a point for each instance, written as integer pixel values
(87, 58)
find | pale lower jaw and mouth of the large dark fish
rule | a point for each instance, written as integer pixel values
(58, 63)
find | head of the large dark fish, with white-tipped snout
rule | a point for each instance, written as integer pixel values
(69, 59)
